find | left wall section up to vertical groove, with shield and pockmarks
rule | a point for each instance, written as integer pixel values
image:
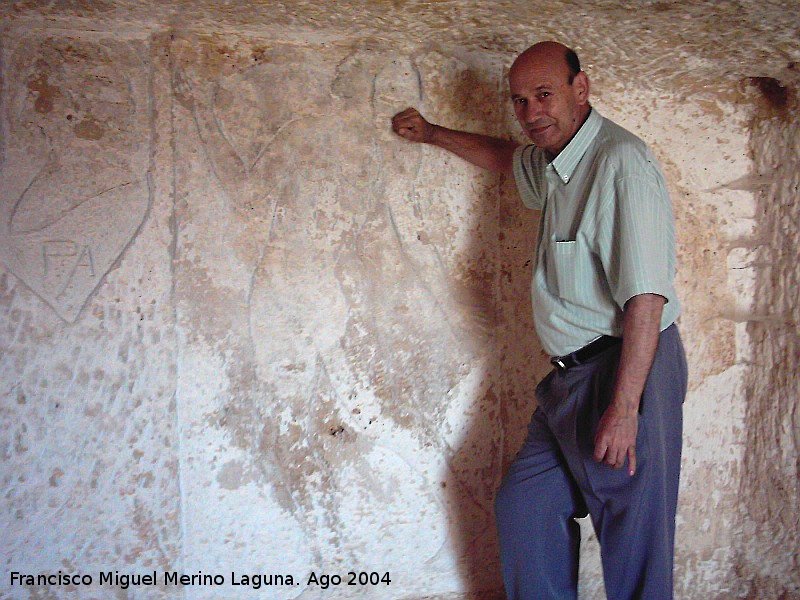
(89, 447)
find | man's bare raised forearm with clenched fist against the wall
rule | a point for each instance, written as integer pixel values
(493, 154)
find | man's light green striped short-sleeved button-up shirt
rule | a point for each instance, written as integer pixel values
(607, 233)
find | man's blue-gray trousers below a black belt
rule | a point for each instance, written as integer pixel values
(554, 479)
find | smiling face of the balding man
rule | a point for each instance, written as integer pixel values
(549, 108)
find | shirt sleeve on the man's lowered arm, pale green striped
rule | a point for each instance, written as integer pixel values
(638, 252)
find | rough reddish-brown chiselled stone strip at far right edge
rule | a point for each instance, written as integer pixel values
(770, 487)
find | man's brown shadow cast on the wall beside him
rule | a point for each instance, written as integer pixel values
(496, 267)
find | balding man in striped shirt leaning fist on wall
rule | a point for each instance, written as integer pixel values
(604, 307)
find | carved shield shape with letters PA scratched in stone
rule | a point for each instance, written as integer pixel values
(74, 186)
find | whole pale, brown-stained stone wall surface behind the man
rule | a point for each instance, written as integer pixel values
(245, 329)
